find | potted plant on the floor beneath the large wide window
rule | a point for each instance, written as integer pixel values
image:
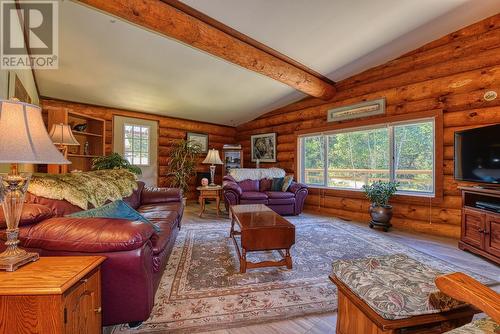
(379, 194)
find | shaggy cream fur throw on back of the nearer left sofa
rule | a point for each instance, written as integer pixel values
(82, 188)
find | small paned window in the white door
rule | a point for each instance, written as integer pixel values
(136, 144)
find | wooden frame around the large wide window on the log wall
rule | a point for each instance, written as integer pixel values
(371, 123)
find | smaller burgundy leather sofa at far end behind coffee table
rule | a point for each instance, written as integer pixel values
(290, 202)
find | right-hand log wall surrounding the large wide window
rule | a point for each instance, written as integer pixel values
(449, 74)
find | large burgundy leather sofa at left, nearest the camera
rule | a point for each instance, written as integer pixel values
(136, 254)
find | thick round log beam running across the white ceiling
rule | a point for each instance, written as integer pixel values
(184, 24)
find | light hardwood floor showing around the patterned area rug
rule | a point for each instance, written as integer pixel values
(443, 248)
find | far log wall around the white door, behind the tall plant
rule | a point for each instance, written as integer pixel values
(170, 131)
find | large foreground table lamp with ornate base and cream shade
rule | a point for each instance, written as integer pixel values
(24, 139)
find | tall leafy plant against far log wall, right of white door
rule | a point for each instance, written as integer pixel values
(182, 164)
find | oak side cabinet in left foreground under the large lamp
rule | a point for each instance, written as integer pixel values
(52, 295)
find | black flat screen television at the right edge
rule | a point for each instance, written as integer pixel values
(477, 154)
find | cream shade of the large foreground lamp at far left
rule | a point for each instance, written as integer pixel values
(24, 138)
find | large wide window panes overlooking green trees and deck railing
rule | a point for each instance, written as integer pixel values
(403, 152)
